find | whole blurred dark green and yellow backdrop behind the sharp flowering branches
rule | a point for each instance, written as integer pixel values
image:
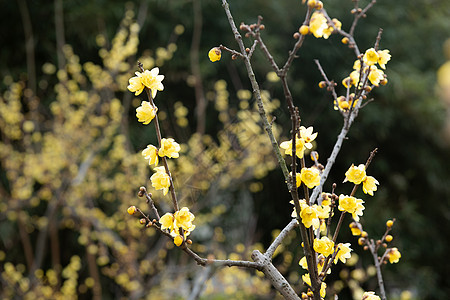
(70, 149)
